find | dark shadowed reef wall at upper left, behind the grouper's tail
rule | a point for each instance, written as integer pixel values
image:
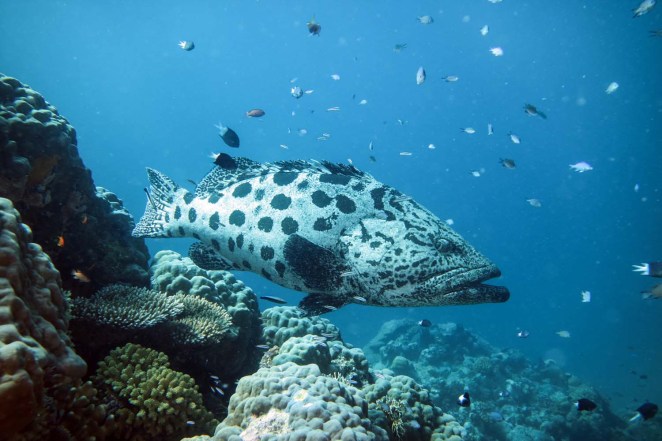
(42, 173)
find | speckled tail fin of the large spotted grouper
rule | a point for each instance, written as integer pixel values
(159, 201)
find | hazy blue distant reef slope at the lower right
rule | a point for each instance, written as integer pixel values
(512, 398)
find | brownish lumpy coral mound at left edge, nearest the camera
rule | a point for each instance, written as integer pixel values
(35, 351)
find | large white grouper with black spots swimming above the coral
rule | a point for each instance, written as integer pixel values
(326, 229)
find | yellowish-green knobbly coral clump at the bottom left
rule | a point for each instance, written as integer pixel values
(152, 401)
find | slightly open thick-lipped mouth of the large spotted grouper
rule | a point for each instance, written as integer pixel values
(465, 286)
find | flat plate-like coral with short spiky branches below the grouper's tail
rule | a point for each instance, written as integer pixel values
(127, 307)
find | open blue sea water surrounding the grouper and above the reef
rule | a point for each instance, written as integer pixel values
(136, 99)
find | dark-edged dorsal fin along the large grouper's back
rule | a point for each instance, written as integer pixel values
(230, 170)
